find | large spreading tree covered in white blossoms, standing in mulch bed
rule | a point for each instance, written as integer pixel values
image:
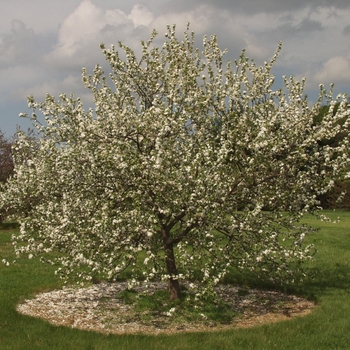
(185, 168)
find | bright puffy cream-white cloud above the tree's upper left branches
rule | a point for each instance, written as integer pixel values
(87, 27)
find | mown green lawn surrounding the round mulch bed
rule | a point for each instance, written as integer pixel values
(327, 327)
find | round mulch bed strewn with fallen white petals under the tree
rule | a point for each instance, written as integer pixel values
(97, 308)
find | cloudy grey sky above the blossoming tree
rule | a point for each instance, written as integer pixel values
(45, 43)
